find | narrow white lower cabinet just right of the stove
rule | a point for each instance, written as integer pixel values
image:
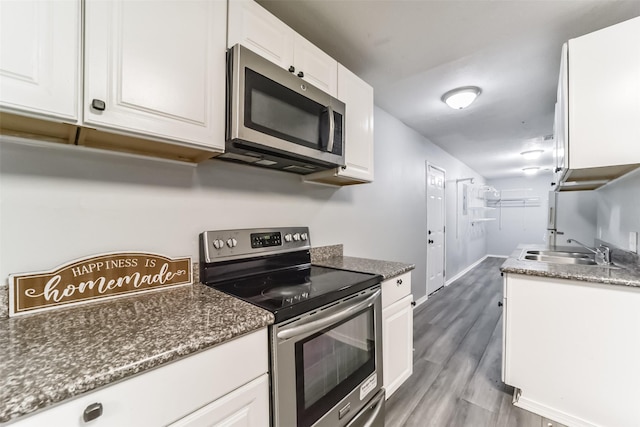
(397, 332)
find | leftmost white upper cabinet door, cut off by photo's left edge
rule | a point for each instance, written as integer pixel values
(39, 57)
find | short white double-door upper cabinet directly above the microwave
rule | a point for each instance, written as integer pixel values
(254, 27)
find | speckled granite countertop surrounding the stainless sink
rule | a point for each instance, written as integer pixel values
(628, 273)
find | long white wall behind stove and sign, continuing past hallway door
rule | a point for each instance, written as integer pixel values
(60, 204)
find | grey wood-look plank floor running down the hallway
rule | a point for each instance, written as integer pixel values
(458, 360)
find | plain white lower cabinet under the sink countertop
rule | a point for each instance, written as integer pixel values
(572, 348)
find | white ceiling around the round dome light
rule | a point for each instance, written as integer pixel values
(413, 51)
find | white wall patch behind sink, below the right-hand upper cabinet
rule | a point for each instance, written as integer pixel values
(619, 210)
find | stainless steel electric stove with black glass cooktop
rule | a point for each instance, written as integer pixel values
(325, 345)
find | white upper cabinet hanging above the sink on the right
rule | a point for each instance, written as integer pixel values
(599, 103)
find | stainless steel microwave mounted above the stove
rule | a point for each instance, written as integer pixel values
(279, 121)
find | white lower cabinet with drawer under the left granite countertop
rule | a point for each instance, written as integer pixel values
(225, 385)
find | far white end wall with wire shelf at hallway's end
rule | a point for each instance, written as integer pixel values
(516, 225)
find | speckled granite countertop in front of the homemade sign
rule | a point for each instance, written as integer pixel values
(48, 357)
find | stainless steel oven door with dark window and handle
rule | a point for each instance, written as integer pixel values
(327, 365)
